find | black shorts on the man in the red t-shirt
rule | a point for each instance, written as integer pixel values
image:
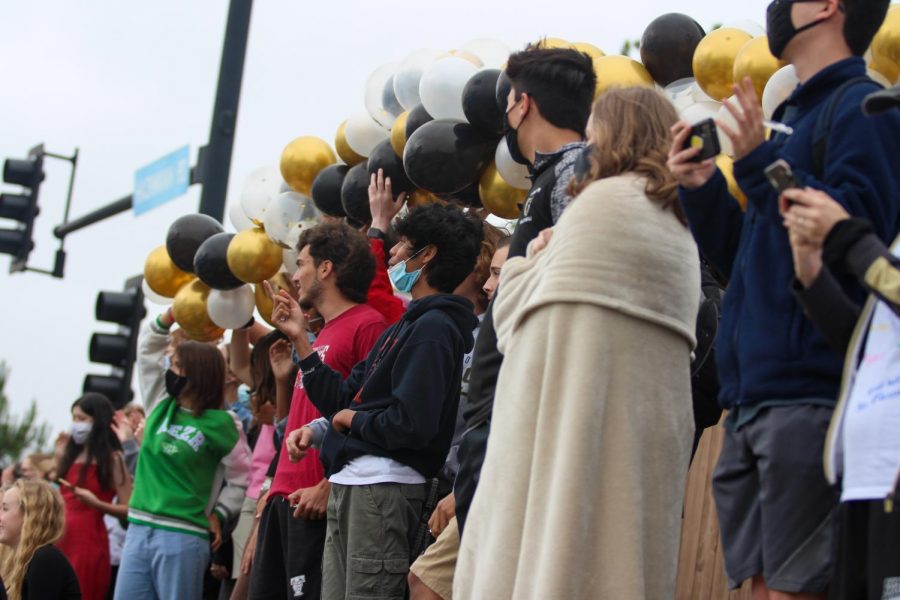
(288, 559)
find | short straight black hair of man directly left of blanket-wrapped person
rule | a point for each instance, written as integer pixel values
(560, 81)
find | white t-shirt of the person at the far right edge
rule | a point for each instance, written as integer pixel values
(872, 418)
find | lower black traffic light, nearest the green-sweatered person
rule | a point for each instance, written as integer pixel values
(117, 349)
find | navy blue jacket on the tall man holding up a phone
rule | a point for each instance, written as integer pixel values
(766, 348)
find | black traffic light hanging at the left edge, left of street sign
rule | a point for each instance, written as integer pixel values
(23, 207)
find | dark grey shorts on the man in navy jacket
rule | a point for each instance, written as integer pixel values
(776, 509)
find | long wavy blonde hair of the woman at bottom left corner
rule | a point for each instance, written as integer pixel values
(43, 523)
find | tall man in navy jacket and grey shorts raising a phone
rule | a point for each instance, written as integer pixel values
(778, 376)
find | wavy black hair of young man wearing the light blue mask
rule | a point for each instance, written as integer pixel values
(456, 235)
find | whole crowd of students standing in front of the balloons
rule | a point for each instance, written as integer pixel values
(443, 410)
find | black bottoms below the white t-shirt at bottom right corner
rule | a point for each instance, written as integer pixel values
(867, 562)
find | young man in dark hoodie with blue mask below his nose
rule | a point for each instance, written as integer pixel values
(392, 419)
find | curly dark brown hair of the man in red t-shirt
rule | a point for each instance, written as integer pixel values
(348, 251)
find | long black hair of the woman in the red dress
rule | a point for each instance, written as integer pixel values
(101, 445)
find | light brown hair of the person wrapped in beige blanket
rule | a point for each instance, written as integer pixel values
(631, 131)
